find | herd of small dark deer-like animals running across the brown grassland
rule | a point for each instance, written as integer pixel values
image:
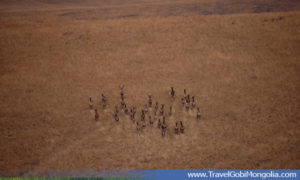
(158, 115)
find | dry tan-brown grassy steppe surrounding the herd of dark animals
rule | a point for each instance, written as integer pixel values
(243, 69)
